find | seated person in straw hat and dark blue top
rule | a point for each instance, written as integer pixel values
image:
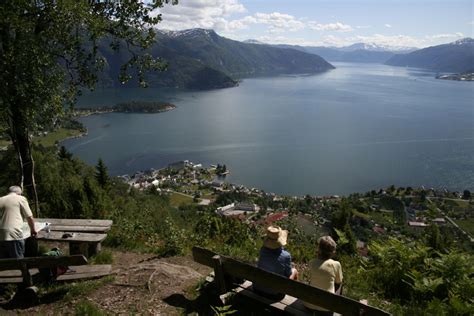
(274, 258)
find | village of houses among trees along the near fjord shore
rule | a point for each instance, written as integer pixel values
(205, 186)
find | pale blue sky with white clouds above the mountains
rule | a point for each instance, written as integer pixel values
(402, 23)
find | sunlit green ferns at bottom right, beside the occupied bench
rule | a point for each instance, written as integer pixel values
(416, 275)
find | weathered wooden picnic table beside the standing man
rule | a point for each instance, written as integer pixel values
(87, 234)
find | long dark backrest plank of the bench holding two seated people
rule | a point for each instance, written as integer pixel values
(228, 266)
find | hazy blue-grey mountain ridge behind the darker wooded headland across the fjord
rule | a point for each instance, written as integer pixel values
(239, 59)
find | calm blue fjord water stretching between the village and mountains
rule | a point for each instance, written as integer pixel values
(353, 129)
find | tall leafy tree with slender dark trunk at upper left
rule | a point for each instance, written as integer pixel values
(49, 50)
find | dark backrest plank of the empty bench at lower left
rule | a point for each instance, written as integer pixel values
(42, 262)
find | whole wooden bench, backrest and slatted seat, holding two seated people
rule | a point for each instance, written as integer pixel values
(227, 269)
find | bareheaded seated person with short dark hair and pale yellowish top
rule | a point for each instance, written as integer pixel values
(325, 273)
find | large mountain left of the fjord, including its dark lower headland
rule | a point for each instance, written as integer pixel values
(201, 59)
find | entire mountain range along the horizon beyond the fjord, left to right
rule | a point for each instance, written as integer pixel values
(201, 59)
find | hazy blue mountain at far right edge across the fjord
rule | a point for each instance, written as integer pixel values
(456, 57)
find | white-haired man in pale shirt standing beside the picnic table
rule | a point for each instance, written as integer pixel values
(14, 209)
